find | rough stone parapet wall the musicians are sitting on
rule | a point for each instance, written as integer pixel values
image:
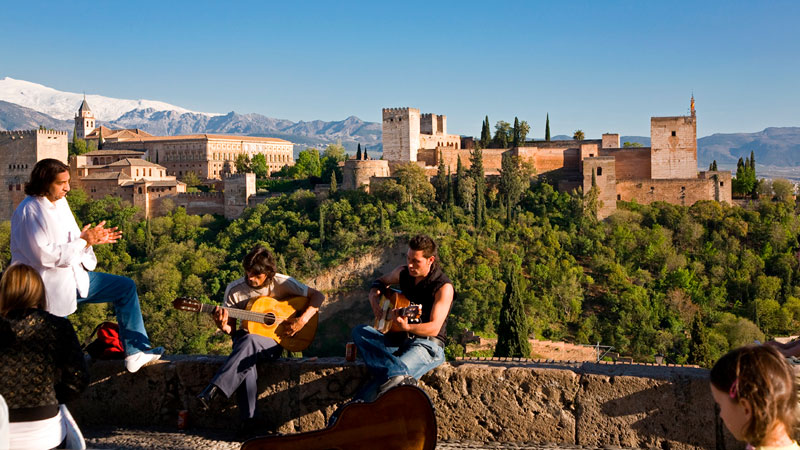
(500, 400)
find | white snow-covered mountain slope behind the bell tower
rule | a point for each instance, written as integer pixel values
(63, 105)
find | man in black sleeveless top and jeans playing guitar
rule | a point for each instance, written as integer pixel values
(404, 356)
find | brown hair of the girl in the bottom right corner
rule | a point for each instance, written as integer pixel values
(760, 375)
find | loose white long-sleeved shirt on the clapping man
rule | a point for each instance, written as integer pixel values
(45, 236)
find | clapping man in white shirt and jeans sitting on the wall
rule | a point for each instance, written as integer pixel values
(45, 236)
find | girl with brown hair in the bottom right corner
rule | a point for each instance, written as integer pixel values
(757, 396)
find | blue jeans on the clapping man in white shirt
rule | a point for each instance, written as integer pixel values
(121, 291)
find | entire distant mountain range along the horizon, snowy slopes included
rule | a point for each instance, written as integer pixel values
(26, 105)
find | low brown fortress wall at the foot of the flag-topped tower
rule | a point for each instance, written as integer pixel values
(679, 192)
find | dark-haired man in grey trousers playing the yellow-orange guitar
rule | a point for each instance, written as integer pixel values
(239, 374)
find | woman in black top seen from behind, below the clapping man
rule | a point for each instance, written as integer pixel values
(41, 362)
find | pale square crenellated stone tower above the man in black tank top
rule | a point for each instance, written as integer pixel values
(400, 134)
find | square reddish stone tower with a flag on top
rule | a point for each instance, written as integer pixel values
(673, 142)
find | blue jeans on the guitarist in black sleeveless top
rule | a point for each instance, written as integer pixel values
(414, 357)
